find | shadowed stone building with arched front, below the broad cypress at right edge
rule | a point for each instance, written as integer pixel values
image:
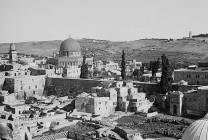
(193, 102)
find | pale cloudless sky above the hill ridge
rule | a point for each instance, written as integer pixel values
(116, 20)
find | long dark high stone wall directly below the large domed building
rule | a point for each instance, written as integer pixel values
(66, 86)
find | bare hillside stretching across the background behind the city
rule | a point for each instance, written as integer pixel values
(181, 50)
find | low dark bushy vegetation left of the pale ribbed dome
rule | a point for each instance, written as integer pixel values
(158, 126)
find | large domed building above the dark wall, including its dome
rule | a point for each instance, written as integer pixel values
(70, 58)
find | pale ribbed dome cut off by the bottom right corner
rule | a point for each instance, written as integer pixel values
(197, 130)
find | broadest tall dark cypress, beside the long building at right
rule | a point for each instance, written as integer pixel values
(166, 78)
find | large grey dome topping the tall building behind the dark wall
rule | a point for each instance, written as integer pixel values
(70, 45)
